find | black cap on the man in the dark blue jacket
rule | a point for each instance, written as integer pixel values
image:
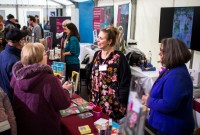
(15, 35)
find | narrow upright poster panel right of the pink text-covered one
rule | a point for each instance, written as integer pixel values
(123, 19)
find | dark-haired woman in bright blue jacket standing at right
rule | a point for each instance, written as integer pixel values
(170, 99)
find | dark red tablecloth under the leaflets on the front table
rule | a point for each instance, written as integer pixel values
(70, 123)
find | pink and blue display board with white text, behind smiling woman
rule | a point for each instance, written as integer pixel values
(103, 17)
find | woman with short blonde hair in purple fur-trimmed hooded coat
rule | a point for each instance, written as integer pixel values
(38, 95)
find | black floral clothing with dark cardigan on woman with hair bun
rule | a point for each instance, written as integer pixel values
(110, 88)
